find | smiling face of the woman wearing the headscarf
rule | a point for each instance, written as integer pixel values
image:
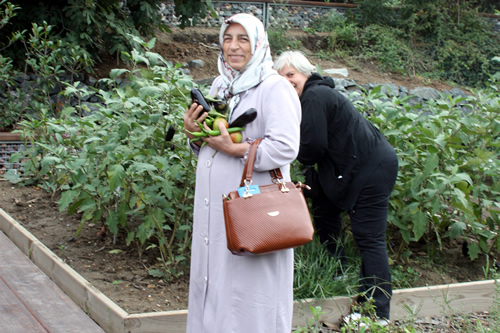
(236, 47)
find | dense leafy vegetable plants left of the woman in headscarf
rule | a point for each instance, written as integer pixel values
(120, 165)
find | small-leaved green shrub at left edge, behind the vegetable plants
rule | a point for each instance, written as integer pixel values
(48, 59)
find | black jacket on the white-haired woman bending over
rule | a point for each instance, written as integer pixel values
(336, 137)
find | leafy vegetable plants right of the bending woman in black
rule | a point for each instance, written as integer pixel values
(447, 184)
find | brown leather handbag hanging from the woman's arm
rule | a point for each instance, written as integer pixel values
(275, 219)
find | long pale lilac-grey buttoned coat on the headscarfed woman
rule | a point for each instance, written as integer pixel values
(231, 293)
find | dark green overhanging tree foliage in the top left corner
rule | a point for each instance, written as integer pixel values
(96, 26)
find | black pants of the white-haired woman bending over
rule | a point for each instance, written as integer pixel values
(369, 224)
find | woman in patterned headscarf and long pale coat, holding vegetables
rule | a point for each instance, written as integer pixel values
(231, 293)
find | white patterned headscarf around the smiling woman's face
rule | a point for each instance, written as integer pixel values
(256, 70)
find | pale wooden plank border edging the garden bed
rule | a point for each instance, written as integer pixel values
(424, 301)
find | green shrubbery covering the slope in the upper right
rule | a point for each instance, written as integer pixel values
(443, 39)
